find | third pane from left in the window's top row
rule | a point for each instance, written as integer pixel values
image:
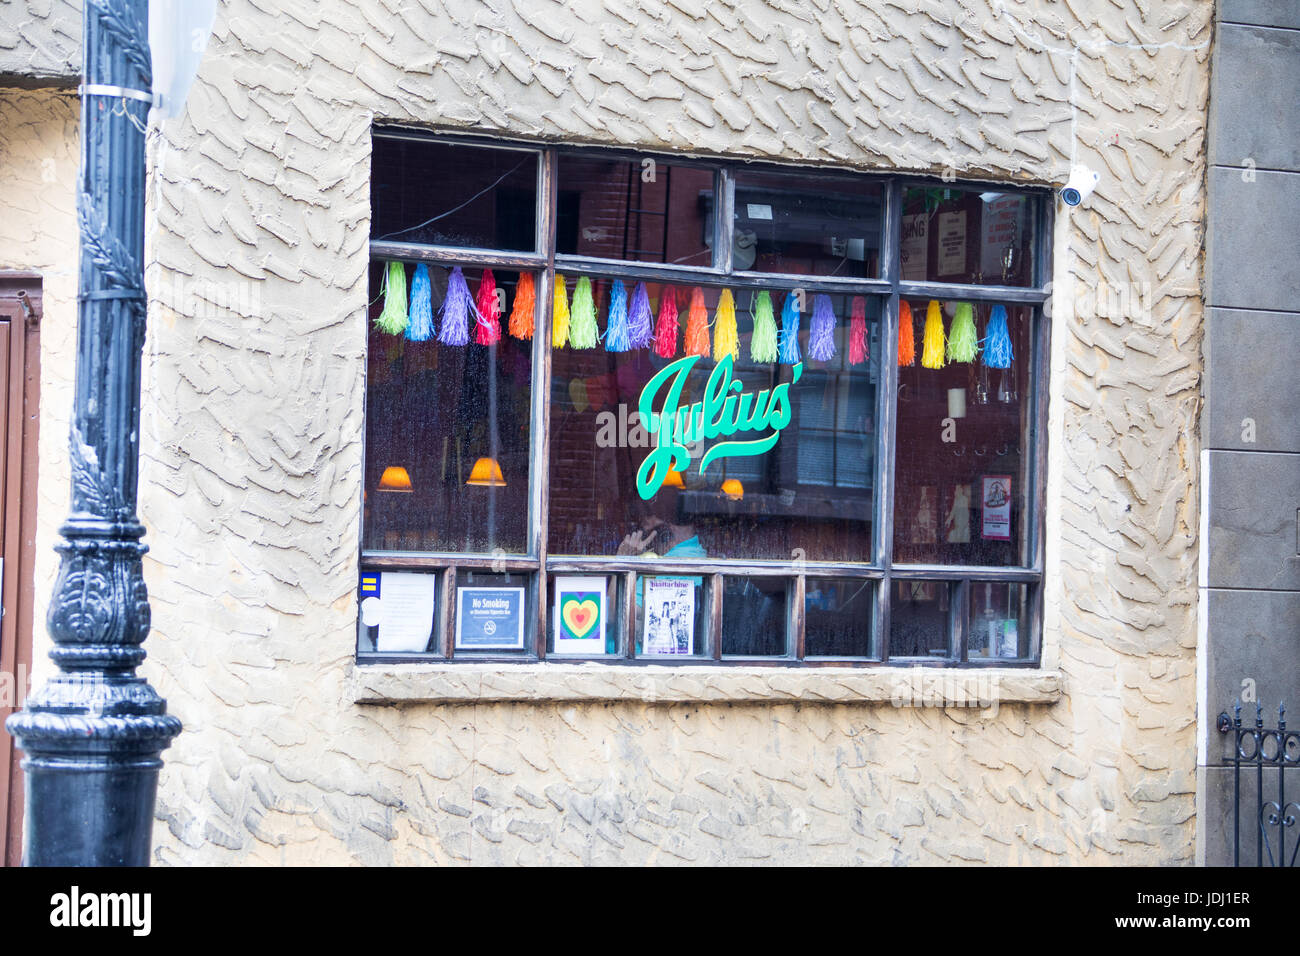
(807, 226)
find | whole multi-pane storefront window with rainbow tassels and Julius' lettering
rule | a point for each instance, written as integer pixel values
(627, 406)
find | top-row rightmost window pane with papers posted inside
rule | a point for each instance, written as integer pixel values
(981, 237)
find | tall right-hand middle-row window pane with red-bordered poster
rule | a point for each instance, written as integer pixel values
(963, 451)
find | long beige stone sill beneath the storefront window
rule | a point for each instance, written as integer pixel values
(474, 684)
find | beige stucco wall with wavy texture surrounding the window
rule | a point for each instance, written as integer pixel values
(253, 436)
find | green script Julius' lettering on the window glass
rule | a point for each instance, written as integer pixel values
(725, 412)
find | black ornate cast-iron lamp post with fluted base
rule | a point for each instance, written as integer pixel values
(94, 734)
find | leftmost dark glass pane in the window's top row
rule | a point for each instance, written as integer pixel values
(454, 196)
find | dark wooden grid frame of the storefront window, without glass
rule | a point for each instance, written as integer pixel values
(889, 289)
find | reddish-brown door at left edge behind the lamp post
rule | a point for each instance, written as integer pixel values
(20, 377)
